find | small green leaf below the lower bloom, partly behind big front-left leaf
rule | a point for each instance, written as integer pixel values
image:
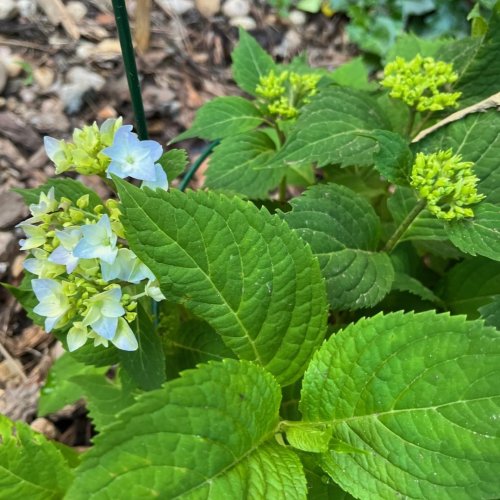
(105, 398)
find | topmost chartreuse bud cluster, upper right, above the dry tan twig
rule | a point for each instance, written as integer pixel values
(420, 82)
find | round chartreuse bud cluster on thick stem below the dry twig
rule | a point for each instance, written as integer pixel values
(447, 183)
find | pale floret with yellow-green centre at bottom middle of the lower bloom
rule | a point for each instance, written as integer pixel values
(103, 312)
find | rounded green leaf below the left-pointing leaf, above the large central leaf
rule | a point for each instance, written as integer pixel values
(233, 165)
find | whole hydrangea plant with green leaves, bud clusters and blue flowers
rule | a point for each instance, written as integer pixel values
(322, 321)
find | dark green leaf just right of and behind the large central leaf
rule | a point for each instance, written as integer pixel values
(343, 231)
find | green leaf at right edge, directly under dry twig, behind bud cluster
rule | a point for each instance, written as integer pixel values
(477, 138)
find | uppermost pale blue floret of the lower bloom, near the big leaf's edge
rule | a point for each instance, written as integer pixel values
(98, 242)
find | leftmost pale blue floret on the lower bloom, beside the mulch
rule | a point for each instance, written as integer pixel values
(53, 301)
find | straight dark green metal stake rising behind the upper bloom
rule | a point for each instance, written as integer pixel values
(123, 27)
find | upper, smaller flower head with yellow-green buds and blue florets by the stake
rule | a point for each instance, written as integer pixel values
(109, 149)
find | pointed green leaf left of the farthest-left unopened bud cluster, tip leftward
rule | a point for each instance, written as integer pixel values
(223, 117)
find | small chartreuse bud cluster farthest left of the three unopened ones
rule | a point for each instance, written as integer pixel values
(283, 94)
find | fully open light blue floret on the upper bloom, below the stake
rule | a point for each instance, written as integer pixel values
(131, 157)
